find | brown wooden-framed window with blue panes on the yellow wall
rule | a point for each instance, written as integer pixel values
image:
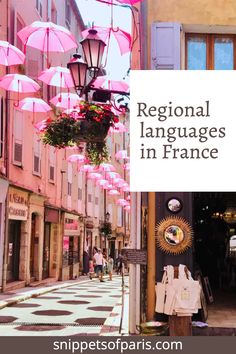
(210, 52)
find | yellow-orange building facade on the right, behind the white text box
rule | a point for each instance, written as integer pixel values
(182, 35)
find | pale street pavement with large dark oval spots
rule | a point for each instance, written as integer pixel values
(86, 308)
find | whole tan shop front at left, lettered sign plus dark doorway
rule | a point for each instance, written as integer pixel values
(17, 235)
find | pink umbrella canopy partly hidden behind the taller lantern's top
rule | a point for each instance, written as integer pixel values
(105, 33)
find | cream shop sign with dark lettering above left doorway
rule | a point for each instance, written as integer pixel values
(18, 205)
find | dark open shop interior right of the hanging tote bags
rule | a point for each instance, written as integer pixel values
(214, 221)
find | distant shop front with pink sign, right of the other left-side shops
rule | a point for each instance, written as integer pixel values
(72, 247)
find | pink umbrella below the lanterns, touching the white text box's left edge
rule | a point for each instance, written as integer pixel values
(104, 83)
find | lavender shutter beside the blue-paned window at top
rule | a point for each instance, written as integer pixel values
(165, 46)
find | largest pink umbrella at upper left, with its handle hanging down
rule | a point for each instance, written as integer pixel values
(47, 37)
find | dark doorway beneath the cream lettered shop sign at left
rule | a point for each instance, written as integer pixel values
(13, 250)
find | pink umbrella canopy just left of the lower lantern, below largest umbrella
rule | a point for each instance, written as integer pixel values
(57, 76)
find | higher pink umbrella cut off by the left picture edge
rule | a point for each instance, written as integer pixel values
(10, 55)
